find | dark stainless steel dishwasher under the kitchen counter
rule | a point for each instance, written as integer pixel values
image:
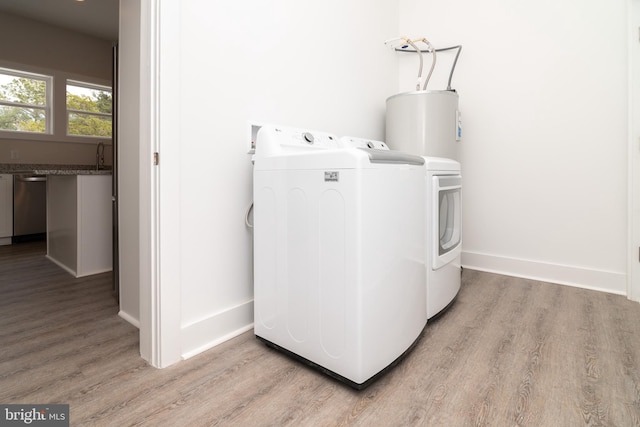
(29, 207)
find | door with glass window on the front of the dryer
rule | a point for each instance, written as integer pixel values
(448, 226)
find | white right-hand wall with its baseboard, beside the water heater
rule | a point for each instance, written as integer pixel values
(543, 92)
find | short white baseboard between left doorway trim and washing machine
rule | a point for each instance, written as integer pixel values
(216, 329)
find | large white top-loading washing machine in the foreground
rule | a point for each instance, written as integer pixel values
(339, 274)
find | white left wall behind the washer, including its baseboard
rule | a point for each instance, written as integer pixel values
(319, 65)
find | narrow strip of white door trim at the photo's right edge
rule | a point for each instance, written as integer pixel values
(633, 260)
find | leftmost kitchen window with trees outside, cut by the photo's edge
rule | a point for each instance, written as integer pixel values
(25, 102)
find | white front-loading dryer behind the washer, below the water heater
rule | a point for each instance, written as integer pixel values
(444, 232)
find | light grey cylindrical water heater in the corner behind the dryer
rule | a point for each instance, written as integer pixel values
(425, 123)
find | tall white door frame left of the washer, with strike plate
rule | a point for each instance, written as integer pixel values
(160, 310)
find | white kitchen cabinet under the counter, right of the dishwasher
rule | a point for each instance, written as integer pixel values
(79, 231)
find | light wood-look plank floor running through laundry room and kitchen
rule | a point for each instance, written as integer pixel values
(509, 352)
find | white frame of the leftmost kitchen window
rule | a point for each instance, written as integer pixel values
(48, 108)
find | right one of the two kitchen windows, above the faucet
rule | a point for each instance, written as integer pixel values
(89, 109)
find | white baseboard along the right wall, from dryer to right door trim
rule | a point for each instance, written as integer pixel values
(598, 280)
